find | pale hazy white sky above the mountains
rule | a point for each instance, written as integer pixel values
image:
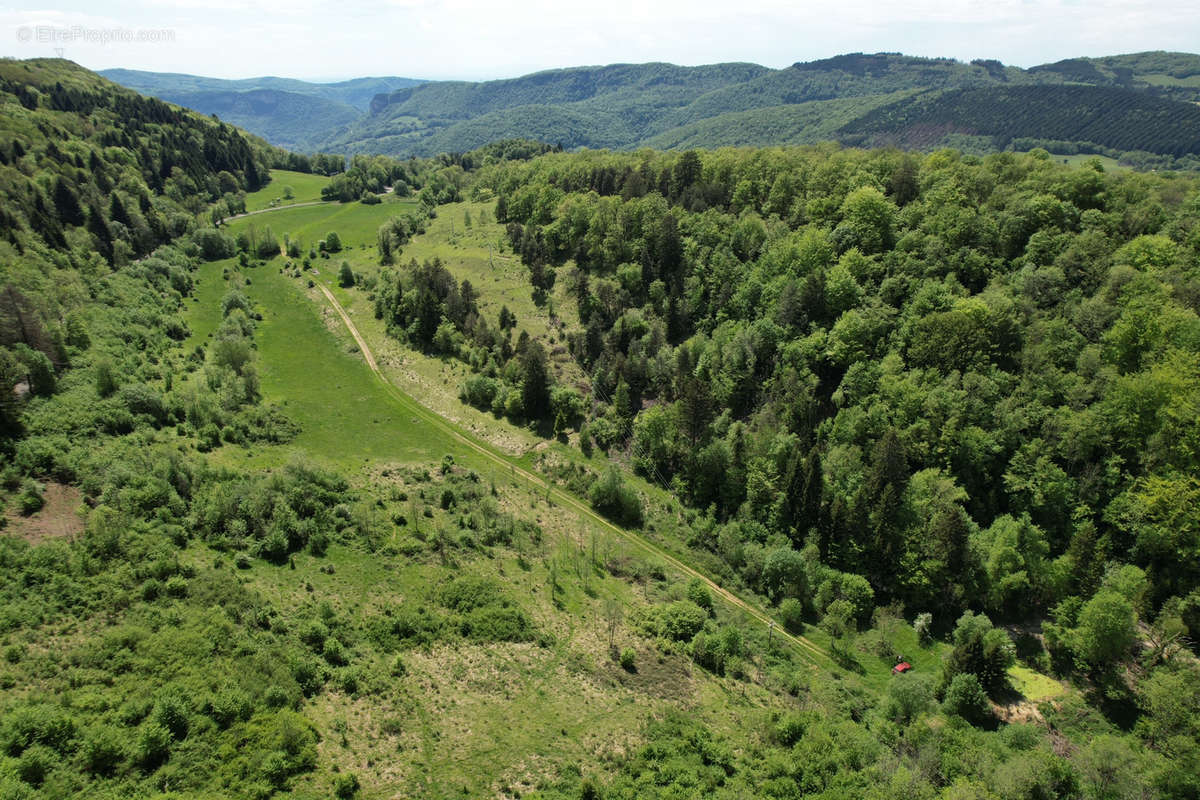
(494, 39)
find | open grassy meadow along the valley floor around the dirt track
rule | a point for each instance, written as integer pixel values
(575, 705)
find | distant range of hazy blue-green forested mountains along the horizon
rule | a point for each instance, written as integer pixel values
(1147, 103)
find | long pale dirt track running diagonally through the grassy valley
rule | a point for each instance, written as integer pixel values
(806, 647)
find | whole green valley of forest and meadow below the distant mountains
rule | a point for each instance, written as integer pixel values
(940, 408)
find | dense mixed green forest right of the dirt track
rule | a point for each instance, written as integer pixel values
(962, 378)
